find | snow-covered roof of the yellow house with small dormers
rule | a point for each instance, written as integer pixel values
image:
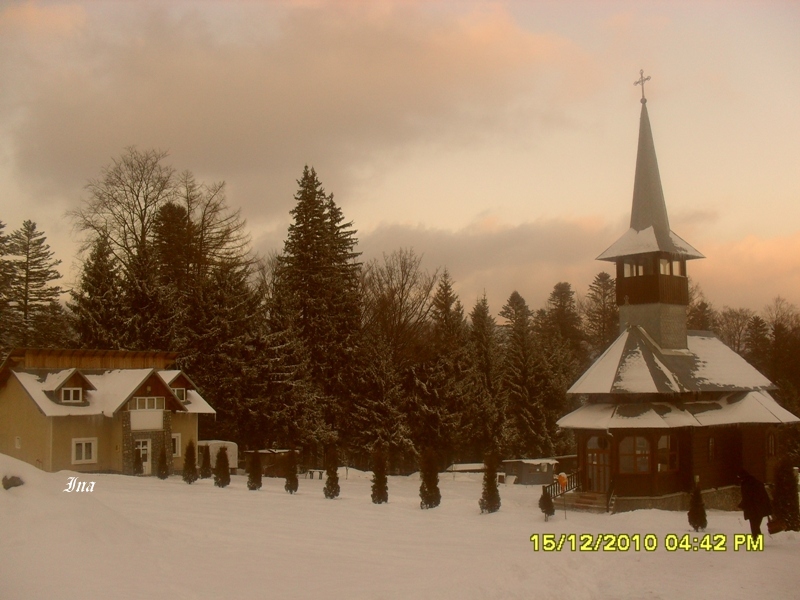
(106, 391)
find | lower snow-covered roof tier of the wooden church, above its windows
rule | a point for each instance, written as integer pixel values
(738, 407)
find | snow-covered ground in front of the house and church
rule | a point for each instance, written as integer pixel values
(146, 538)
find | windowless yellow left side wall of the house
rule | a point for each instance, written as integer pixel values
(20, 416)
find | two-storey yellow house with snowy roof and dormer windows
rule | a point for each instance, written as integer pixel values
(91, 410)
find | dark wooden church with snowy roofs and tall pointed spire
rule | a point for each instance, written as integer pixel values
(664, 408)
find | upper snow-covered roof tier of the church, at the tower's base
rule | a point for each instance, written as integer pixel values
(635, 364)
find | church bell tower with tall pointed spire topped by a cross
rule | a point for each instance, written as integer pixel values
(652, 284)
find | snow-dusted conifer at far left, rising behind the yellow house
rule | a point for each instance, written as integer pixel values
(33, 298)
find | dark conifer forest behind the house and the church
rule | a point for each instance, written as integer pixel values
(313, 348)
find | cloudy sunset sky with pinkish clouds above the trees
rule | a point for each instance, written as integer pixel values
(495, 138)
